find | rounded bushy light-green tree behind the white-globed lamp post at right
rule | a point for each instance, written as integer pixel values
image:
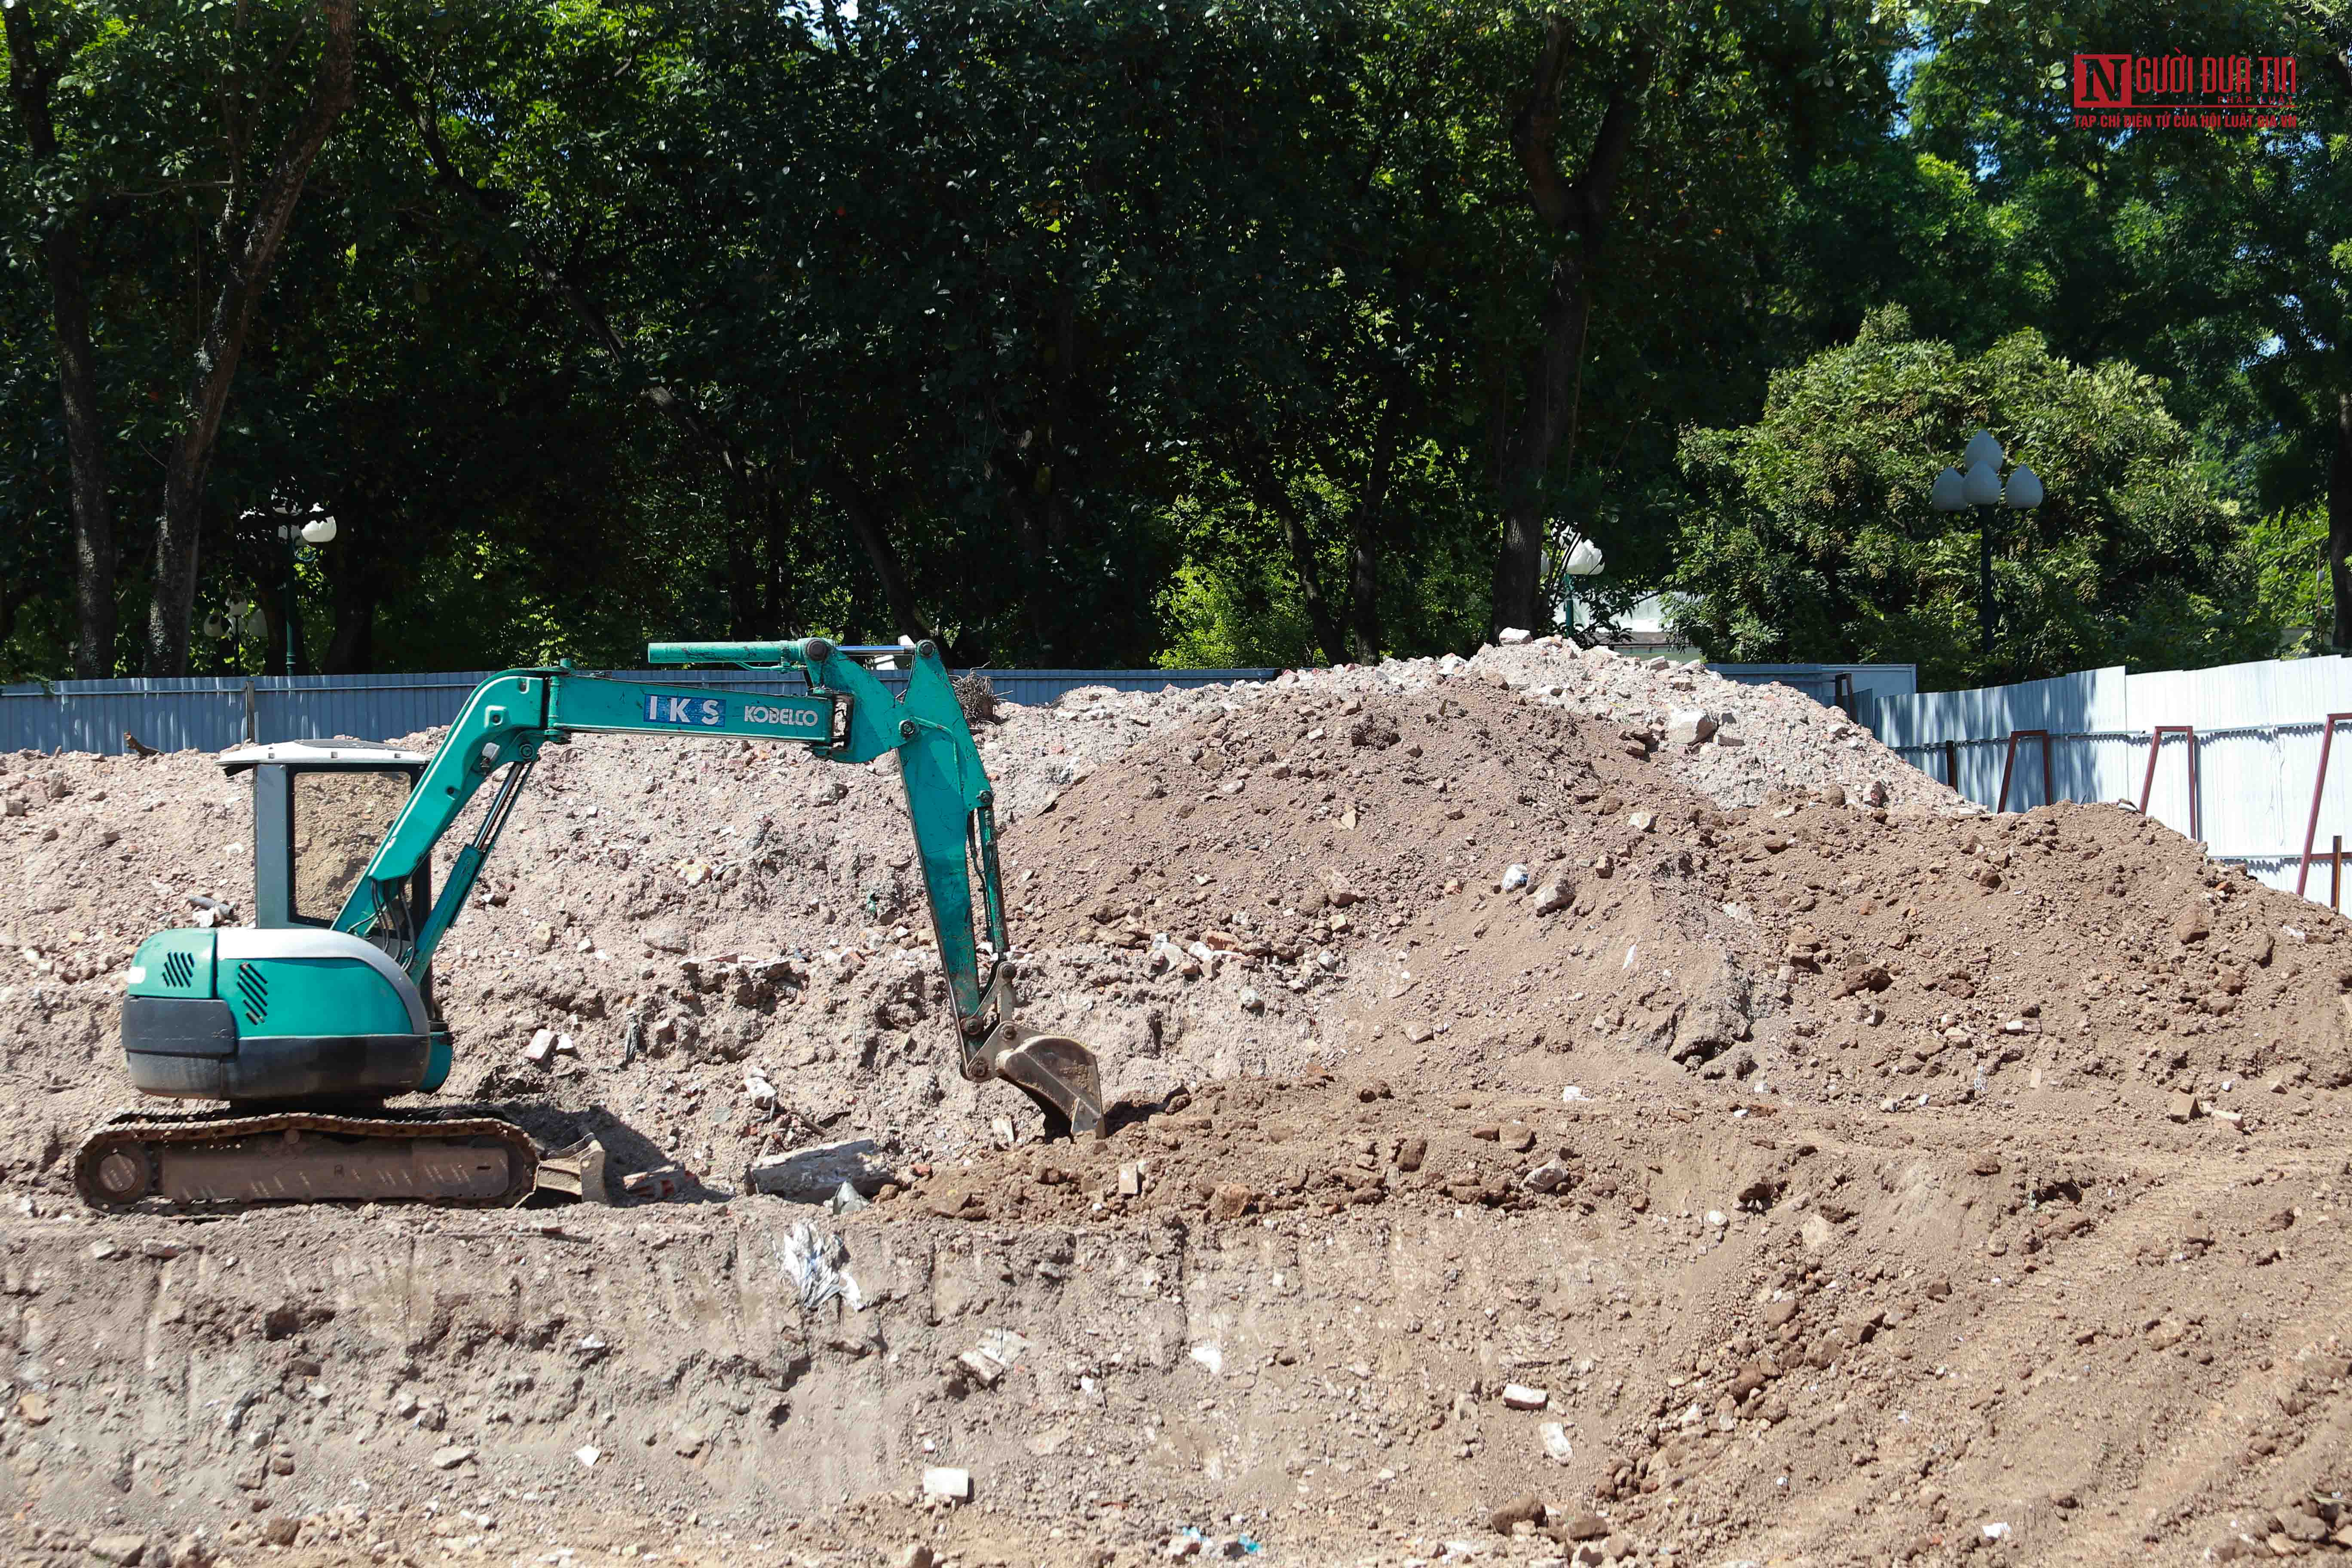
(1812, 535)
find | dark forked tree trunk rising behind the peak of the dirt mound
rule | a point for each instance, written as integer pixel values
(1579, 213)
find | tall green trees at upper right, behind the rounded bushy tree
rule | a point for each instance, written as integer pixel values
(2214, 260)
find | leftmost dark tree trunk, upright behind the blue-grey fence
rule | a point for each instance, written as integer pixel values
(76, 363)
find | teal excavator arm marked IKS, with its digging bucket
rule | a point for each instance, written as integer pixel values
(848, 716)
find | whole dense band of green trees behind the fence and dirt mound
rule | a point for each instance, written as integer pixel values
(1104, 333)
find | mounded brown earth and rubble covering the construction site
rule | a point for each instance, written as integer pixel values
(1542, 1137)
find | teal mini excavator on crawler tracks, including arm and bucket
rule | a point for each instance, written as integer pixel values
(307, 1021)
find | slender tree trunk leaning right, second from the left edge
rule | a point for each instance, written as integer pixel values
(248, 269)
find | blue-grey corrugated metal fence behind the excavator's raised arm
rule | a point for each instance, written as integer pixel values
(211, 713)
